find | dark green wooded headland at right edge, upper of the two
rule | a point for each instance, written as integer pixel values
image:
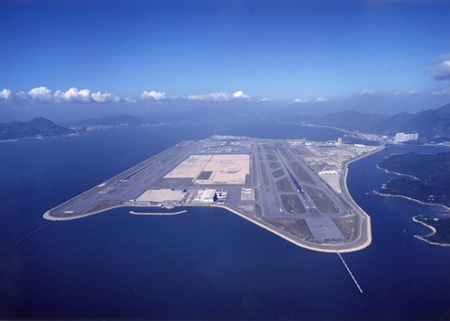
(425, 177)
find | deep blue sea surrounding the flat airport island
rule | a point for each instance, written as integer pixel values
(206, 264)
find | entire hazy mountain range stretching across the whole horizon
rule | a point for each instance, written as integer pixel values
(432, 124)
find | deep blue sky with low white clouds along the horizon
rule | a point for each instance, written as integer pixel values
(374, 55)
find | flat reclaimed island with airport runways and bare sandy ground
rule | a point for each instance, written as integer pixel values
(293, 188)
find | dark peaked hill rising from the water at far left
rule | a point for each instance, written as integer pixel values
(38, 127)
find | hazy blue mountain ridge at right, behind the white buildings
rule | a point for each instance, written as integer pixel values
(431, 124)
